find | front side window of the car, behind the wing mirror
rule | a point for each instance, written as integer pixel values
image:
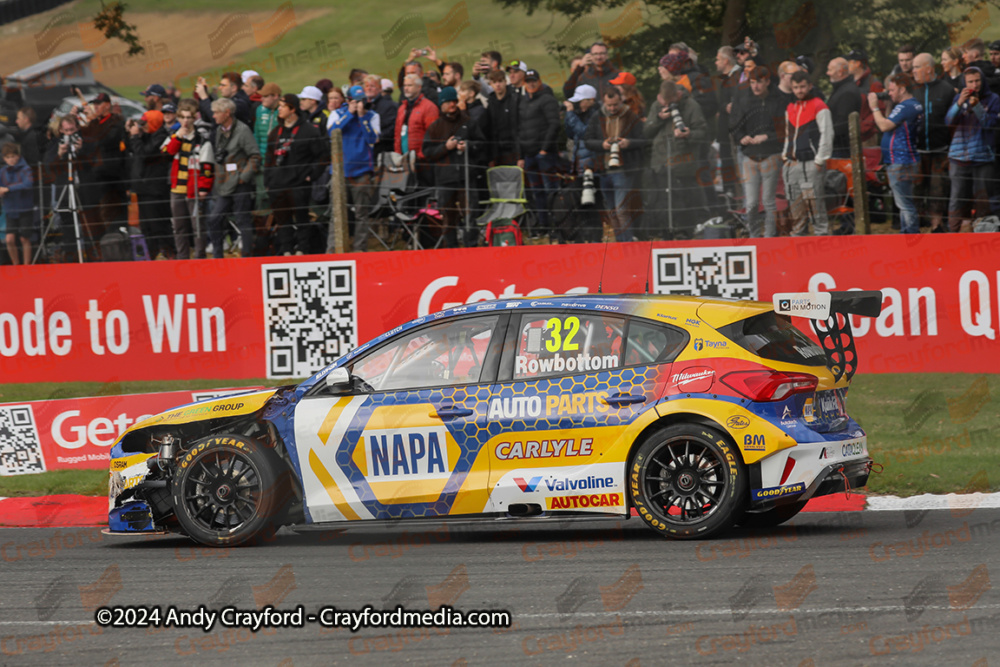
(447, 353)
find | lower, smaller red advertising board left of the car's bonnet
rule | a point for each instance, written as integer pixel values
(77, 433)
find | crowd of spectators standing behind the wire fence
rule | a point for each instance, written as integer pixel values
(245, 168)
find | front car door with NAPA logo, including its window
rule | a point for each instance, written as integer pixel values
(407, 442)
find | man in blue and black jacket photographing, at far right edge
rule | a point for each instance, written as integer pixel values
(973, 115)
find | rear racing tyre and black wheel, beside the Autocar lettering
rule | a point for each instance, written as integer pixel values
(688, 481)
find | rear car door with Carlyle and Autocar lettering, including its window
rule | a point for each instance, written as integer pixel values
(570, 384)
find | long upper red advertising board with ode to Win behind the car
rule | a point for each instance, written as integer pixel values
(285, 318)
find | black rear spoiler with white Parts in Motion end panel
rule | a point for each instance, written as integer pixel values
(835, 334)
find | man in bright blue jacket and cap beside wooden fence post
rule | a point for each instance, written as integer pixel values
(359, 139)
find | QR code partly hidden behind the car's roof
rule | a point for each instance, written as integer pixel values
(728, 272)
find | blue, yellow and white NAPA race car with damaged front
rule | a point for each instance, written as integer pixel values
(697, 413)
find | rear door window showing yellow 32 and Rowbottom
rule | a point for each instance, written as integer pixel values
(567, 343)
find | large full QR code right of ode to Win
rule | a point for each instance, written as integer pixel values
(310, 313)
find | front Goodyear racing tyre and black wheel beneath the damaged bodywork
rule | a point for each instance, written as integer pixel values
(226, 491)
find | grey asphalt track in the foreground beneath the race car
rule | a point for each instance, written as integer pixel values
(895, 587)
